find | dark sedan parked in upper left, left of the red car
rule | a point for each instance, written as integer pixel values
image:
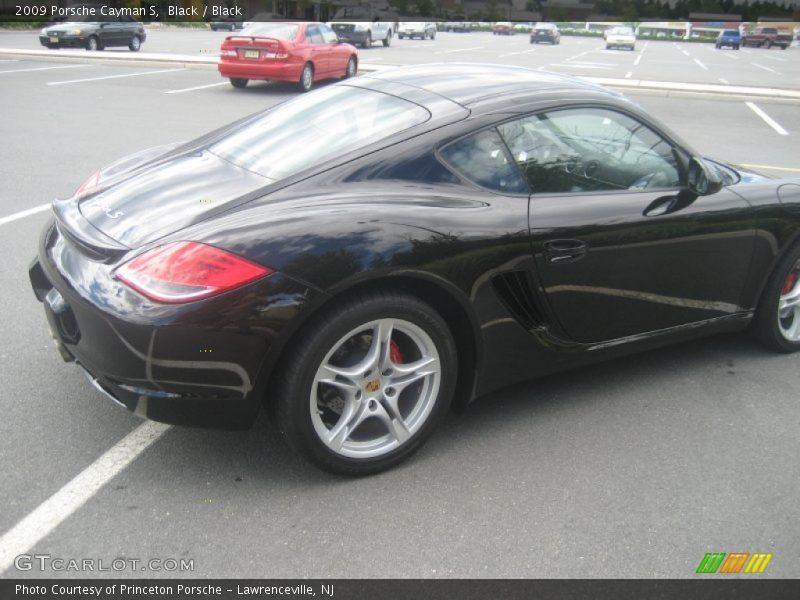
(93, 34)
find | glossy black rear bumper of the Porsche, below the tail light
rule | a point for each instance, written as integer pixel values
(203, 364)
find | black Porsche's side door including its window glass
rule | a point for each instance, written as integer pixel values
(620, 246)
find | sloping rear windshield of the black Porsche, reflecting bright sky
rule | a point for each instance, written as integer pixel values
(314, 128)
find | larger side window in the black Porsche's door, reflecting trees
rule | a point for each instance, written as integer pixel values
(590, 149)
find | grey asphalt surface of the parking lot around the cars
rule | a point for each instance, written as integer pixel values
(633, 468)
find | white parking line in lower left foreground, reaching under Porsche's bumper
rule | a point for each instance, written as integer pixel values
(53, 511)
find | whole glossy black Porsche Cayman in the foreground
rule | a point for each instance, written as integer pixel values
(380, 250)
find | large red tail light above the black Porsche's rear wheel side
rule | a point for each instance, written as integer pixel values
(187, 271)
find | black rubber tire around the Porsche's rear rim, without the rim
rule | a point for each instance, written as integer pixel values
(294, 384)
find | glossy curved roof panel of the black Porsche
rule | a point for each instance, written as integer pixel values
(469, 83)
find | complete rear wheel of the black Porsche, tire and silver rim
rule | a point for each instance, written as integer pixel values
(386, 424)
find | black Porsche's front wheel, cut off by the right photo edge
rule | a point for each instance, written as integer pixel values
(776, 333)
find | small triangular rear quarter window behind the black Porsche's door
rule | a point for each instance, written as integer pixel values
(483, 159)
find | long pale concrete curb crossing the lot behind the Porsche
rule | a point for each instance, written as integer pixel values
(209, 61)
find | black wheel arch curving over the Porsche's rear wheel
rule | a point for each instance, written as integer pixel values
(451, 304)
